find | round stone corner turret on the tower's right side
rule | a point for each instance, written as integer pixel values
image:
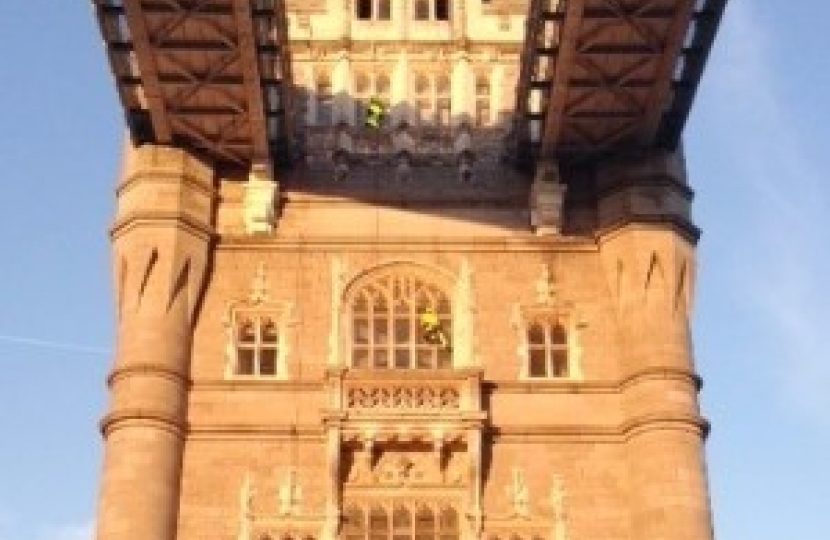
(649, 263)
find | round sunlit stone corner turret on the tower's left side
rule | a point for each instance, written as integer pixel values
(161, 247)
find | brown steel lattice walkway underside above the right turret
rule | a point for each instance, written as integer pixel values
(602, 76)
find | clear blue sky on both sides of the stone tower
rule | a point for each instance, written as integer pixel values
(756, 148)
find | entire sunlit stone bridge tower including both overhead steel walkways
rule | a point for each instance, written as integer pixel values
(469, 323)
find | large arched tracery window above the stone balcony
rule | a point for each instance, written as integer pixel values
(386, 316)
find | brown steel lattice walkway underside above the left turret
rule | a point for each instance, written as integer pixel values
(213, 75)
